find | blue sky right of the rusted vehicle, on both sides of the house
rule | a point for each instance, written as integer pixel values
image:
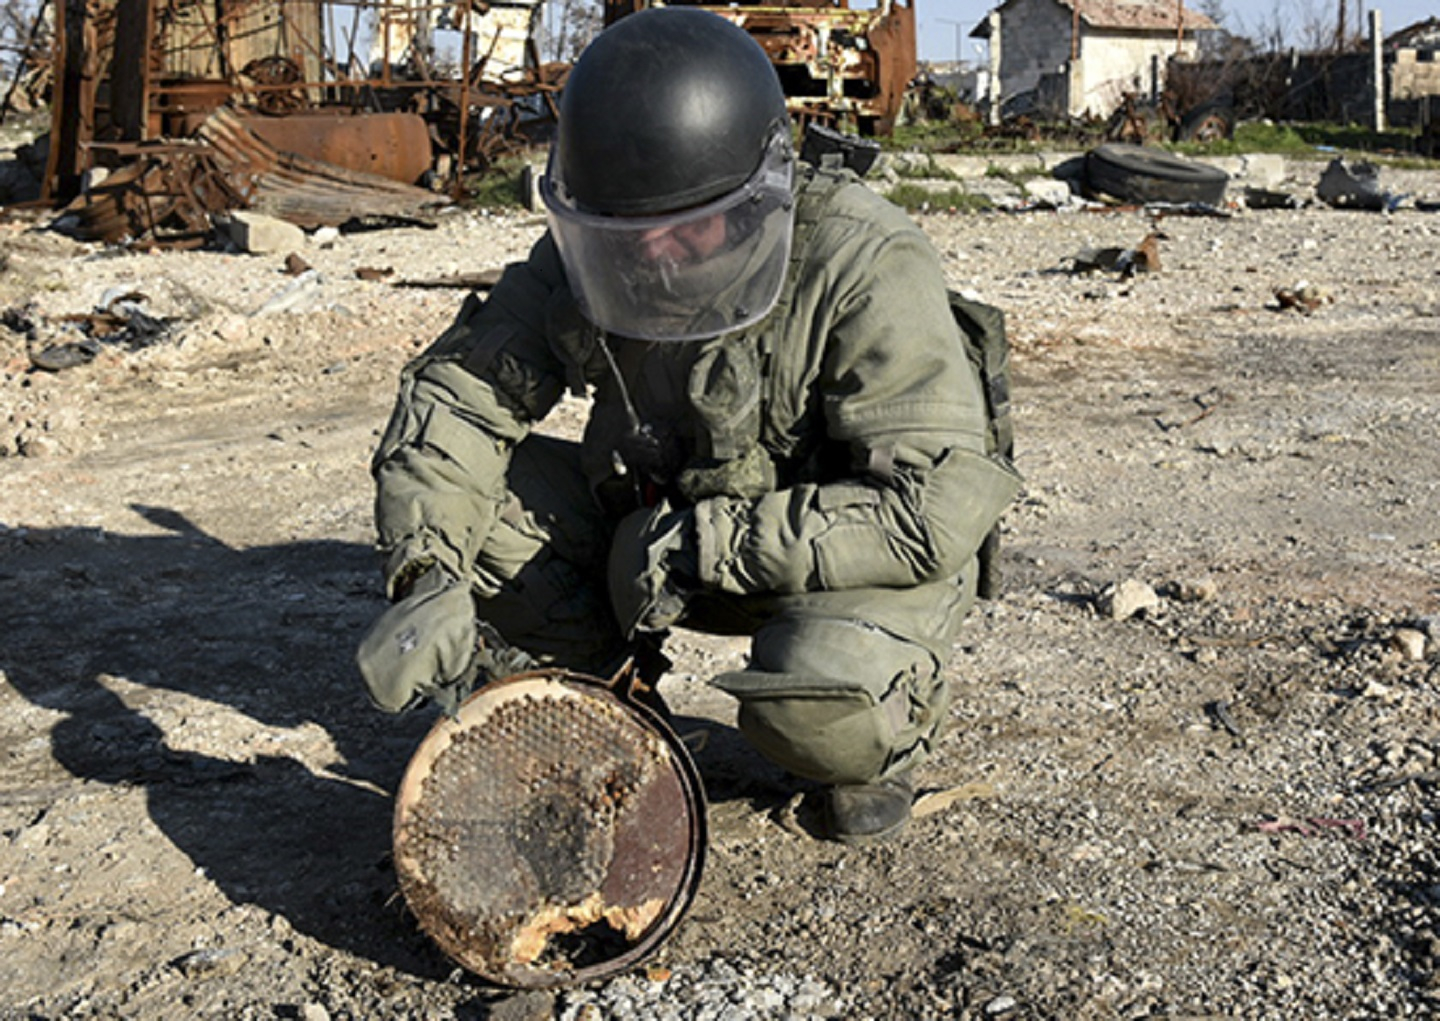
(940, 34)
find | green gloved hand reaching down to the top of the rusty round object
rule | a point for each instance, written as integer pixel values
(424, 647)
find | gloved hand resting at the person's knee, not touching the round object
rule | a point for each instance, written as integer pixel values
(654, 568)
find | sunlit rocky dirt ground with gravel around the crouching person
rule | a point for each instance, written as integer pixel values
(1193, 763)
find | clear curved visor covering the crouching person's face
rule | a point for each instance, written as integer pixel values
(698, 273)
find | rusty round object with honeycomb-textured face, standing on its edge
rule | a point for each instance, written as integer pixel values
(551, 833)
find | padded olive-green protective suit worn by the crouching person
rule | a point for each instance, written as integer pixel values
(834, 457)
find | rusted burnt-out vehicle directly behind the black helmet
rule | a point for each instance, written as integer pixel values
(840, 67)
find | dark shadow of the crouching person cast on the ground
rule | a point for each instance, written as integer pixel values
(97, 621)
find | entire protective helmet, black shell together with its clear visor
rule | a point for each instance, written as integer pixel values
(669, 188)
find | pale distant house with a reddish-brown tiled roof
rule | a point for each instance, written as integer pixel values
(1081, 57)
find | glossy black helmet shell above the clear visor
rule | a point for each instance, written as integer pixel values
(667, 109)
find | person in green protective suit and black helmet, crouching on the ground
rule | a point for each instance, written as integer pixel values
(787, 438)
